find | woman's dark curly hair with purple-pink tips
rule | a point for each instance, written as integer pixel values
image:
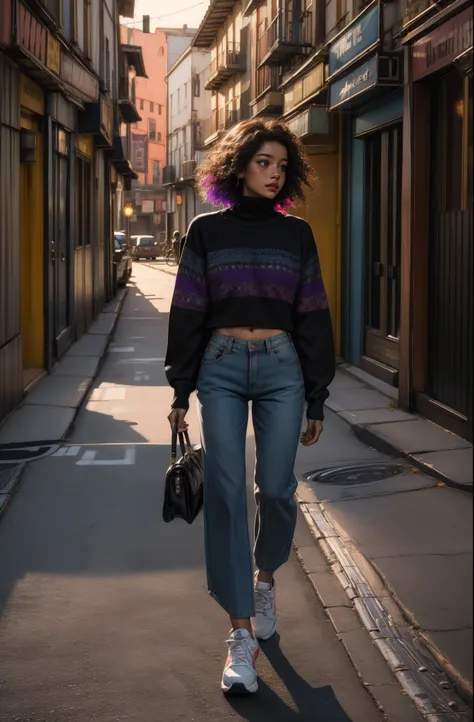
(218, 174)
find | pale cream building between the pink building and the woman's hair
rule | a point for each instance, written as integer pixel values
(189, 103)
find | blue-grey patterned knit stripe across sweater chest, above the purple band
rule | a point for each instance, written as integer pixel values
(272, 258)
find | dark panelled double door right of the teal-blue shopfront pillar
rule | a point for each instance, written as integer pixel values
(383, 163)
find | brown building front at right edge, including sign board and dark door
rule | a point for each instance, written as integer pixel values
(437, 221)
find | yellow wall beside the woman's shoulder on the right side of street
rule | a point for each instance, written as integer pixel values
(321, 210)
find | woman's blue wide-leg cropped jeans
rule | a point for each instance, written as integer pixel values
(232, 373)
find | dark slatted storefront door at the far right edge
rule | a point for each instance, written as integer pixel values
(449, 367)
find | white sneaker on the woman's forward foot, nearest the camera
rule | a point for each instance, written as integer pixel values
(240, 675)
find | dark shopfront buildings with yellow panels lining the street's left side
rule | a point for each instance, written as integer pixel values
(59, 115)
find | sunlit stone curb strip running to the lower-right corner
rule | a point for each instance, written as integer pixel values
(437, 690)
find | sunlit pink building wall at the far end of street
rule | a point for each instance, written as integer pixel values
(150, 95)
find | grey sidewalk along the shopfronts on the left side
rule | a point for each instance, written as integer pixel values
(53, 403)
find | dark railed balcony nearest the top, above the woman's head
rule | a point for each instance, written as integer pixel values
(286, 36)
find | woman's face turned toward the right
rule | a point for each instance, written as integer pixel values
(265, 175)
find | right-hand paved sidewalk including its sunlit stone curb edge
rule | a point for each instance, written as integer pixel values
(394, 532)
